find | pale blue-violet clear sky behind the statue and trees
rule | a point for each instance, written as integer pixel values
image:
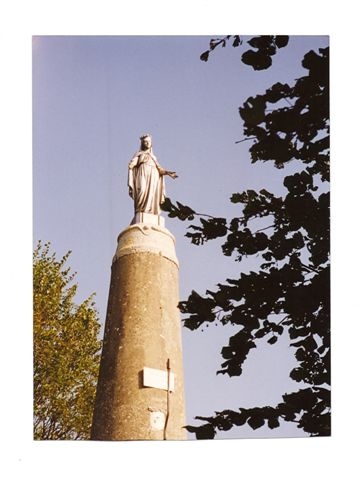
(92, 98)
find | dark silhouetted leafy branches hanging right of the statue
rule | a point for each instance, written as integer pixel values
(289, 291)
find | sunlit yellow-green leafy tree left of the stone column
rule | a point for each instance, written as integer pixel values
(66, 351)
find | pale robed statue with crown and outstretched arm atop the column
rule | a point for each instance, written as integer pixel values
(146, 179)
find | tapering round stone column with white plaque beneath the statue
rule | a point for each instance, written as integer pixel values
(140, 391)
